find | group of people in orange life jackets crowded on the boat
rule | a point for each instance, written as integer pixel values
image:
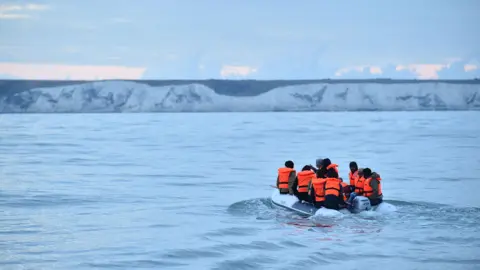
(323, 187)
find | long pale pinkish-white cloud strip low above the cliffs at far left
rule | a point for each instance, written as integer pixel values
(72, 72)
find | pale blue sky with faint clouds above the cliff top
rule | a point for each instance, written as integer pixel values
(250, 39)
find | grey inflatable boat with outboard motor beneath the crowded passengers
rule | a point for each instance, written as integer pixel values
(291, 202)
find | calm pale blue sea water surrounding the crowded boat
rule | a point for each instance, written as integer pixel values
(191, 191)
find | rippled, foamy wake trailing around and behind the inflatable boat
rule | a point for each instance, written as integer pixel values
(389, 211)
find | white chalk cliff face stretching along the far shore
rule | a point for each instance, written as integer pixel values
(127, 96)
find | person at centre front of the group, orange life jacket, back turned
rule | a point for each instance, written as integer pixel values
(333, 189)
